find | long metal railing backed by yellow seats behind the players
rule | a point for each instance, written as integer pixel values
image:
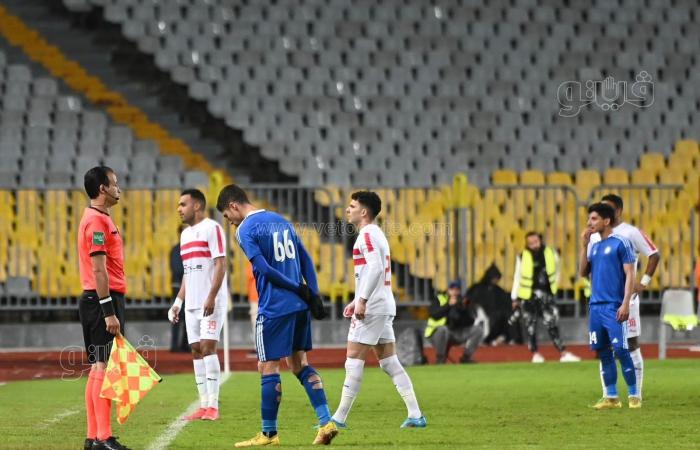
(436, 234)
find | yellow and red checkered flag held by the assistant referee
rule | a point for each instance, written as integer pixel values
(128, 378)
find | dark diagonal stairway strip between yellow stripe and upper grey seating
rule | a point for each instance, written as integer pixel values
(101, 50)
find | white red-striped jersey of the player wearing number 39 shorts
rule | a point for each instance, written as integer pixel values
(200, 244)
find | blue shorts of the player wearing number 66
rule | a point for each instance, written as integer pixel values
(281, 336)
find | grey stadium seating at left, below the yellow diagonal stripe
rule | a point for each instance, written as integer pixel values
(48, 140)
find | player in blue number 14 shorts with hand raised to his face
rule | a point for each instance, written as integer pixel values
(610, 264)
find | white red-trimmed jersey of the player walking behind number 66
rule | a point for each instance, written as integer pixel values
(372, 261)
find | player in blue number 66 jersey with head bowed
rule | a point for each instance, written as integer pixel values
(281, 264)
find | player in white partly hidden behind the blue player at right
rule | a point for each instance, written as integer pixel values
(641, 244)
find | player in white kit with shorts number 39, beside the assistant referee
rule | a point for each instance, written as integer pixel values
(204, 292)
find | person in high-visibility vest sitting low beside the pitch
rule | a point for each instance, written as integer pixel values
(455, 321)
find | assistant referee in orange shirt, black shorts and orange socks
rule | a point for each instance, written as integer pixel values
(101, 307)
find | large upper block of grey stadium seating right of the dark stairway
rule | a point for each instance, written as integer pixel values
(451, 75)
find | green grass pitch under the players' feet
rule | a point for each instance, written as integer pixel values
(485, 406)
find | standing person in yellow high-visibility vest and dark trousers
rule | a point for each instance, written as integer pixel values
(534, 287)
